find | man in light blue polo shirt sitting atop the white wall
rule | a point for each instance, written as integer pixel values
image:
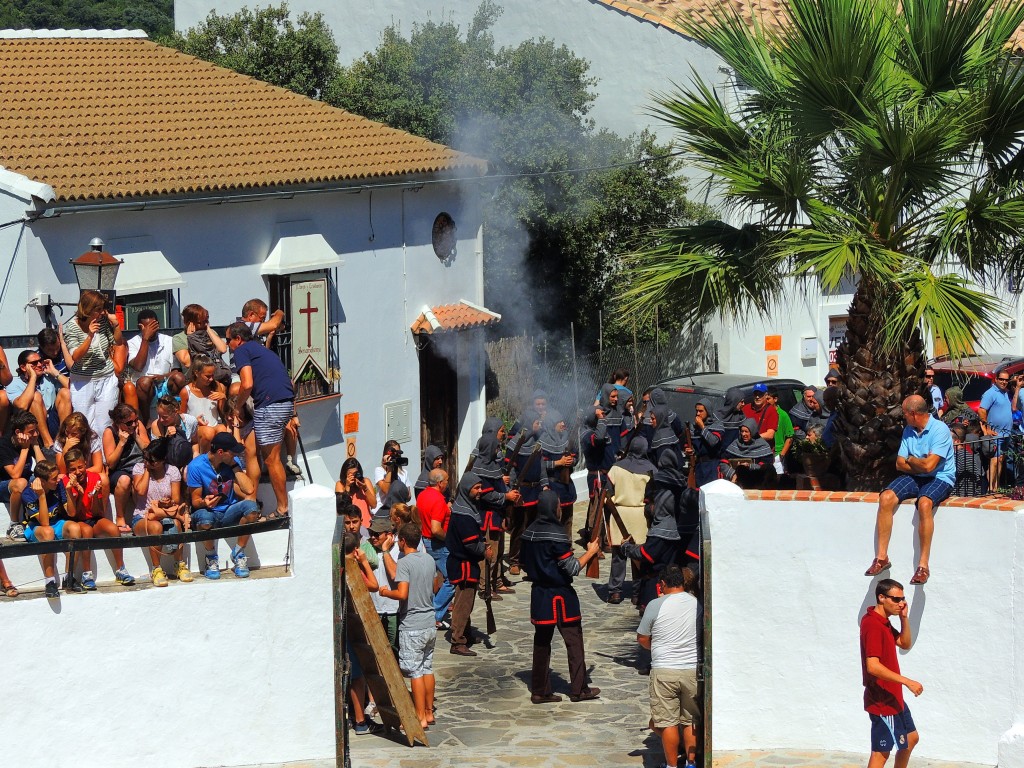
(928, 472)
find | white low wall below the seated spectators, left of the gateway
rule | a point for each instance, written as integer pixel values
(206, 674)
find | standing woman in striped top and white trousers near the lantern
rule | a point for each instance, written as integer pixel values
(90, 340)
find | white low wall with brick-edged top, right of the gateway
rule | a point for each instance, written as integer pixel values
(788, 598)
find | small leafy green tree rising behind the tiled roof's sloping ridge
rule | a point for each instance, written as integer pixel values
(265, 45)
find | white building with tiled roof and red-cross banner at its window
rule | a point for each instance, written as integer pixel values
(215, 189)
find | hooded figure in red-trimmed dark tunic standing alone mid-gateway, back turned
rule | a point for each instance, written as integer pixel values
(548, 561)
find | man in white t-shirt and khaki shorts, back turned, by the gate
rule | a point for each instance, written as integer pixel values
(669, 630)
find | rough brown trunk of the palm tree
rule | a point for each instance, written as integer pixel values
(875, 385)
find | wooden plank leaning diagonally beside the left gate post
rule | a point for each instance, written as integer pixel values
(371, 646)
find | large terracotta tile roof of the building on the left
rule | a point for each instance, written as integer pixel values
(100, 119)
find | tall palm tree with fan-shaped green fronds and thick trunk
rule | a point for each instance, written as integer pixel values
(867, 141)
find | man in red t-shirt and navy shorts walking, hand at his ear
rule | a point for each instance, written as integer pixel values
(891, 721)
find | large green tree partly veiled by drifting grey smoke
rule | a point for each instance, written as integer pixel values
(552, 239)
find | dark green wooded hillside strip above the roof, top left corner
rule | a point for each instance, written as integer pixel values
(154, 17)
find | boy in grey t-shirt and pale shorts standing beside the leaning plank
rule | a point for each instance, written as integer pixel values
(415, 578)
